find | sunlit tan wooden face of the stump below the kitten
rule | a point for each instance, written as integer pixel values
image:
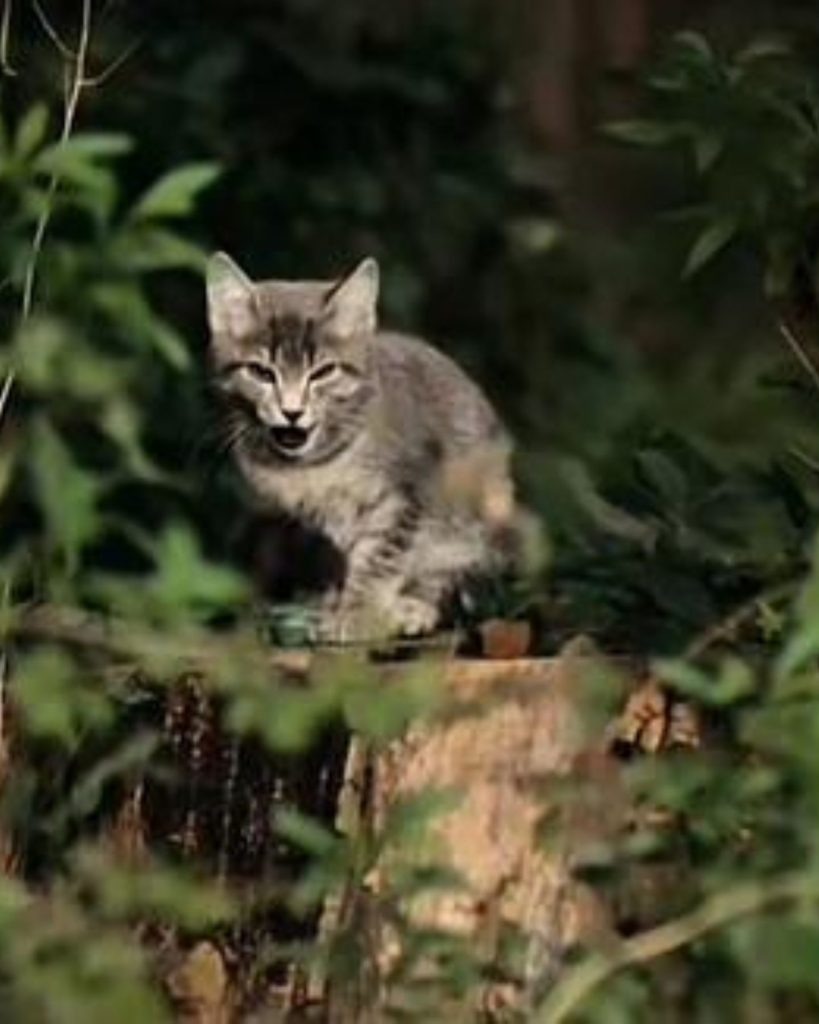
(515, 732)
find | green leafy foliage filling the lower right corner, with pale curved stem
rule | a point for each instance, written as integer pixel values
(744, 818)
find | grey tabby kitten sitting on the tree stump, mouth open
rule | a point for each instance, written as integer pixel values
(375, 440)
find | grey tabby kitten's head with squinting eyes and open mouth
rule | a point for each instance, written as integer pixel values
(293, 359)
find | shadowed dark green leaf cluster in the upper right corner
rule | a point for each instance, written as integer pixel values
(750, 124)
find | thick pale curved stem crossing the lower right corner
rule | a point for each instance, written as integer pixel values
(738, 903)
